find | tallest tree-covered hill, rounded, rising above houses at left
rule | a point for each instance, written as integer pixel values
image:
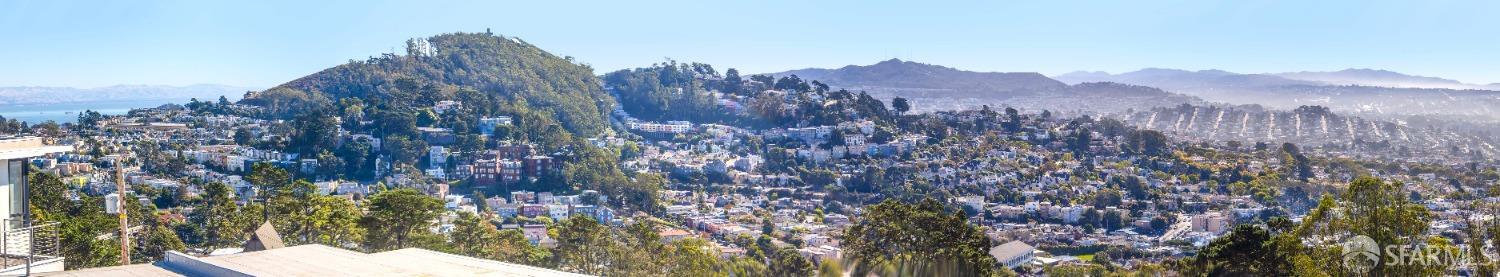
(439, 67)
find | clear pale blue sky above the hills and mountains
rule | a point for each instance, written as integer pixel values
(266, 43)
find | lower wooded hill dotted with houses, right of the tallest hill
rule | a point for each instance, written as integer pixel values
(697, 92)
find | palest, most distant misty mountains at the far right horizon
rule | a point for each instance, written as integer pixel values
(1352, 91)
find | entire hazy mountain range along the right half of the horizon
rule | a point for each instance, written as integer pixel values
(1352, 91)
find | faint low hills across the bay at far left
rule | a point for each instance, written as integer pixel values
(116, 94)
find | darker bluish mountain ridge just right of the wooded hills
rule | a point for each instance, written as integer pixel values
(938, 89)
